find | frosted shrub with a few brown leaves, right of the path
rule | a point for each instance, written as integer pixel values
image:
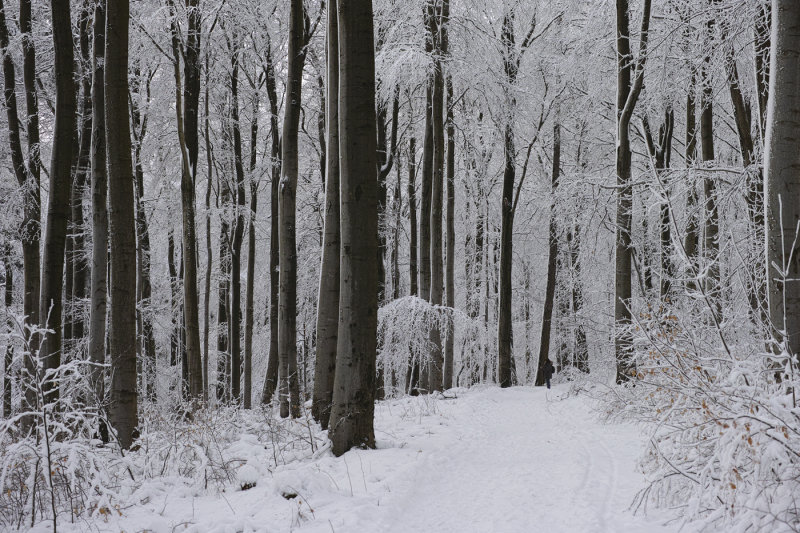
(725, 445)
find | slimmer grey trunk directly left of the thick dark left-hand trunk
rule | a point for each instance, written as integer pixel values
(99, 281)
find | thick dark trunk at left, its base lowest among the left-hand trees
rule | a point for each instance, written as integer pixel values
(122, 345)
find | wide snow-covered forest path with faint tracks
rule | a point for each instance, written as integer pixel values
(515, 460)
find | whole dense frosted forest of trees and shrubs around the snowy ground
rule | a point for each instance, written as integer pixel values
(553, 179)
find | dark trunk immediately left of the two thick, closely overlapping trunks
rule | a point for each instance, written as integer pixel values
(287, 197)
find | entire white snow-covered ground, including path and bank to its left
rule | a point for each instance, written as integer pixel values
(482, 460)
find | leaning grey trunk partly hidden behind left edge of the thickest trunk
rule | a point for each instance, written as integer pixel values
(328, 300)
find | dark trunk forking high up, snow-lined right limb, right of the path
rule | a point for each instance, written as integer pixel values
(628, 91)
